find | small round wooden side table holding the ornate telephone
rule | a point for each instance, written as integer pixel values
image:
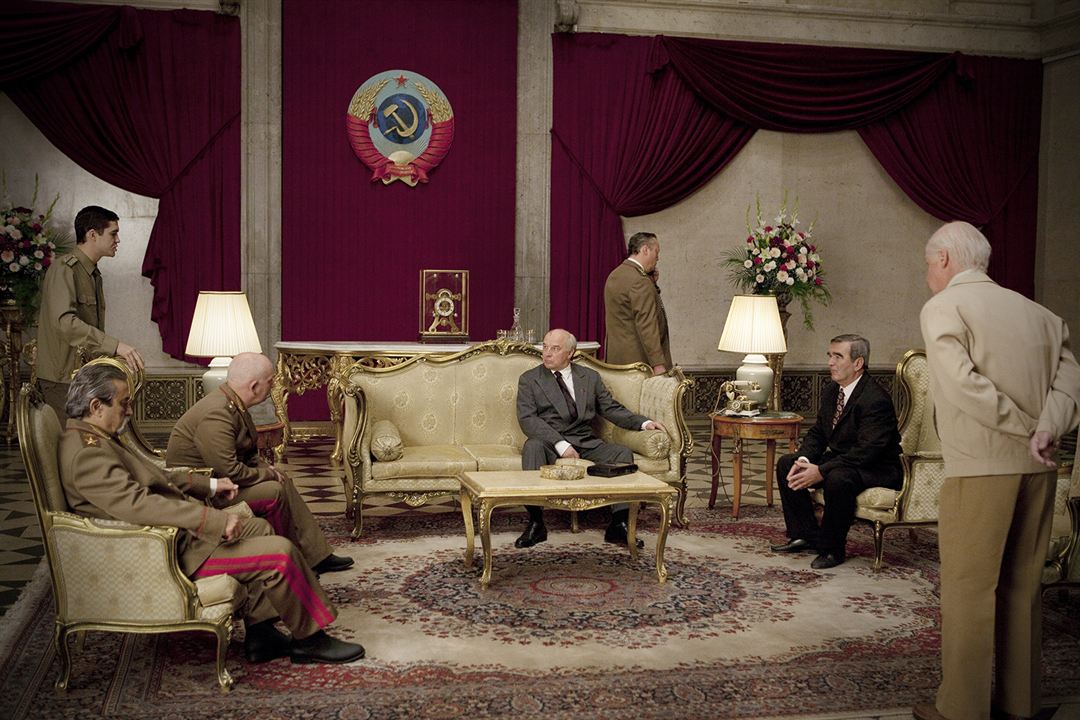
(768, 427)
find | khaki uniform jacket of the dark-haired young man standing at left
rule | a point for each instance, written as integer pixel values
(73, 315)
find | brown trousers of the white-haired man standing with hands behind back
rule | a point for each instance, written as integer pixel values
(993, 534)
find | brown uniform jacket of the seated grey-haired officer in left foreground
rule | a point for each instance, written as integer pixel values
(102, 479)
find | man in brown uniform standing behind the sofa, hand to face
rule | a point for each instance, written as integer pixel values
(634, 315)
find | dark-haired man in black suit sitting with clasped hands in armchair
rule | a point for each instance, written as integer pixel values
(855, 445)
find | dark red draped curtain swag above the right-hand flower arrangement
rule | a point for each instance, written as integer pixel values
(958, 134)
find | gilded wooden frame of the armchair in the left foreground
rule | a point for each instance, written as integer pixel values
(57, 524)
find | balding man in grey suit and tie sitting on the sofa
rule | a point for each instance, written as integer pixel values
(557, 404)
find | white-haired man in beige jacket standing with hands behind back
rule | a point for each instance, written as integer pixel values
(1006, 388)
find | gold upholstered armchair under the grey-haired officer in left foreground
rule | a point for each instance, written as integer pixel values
(113, 576)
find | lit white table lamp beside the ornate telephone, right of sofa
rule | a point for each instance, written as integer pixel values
(753, 328)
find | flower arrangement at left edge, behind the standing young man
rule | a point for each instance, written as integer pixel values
(29, 246)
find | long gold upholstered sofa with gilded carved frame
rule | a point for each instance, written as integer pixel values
(433, 418)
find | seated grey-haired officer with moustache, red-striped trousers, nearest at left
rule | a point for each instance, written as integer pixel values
(103, 479)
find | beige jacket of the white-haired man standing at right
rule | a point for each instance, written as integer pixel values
(1001, 371)
